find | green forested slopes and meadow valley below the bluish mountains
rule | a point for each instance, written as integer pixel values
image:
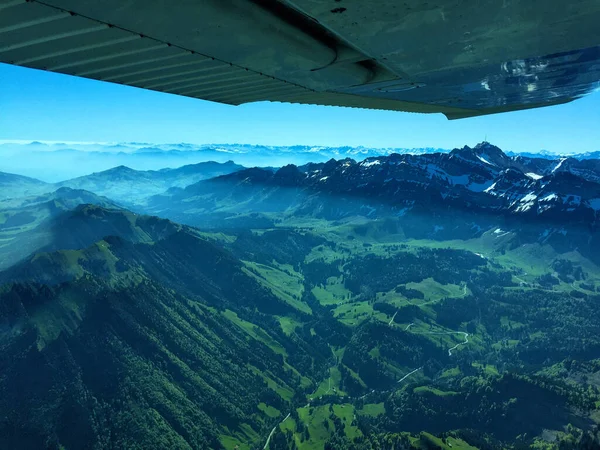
(137, 332)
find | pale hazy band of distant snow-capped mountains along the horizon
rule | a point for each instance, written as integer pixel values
(56, 162)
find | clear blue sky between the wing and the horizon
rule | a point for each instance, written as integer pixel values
(37, 105)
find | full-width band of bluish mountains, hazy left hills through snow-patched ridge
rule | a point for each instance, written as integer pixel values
(481, 181)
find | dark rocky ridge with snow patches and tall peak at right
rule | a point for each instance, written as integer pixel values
(481, 179)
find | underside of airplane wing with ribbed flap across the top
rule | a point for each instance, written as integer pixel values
(461, 58)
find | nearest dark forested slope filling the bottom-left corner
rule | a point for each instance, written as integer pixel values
(142, 368)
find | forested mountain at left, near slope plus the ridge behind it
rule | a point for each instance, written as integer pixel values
(130, 354)
